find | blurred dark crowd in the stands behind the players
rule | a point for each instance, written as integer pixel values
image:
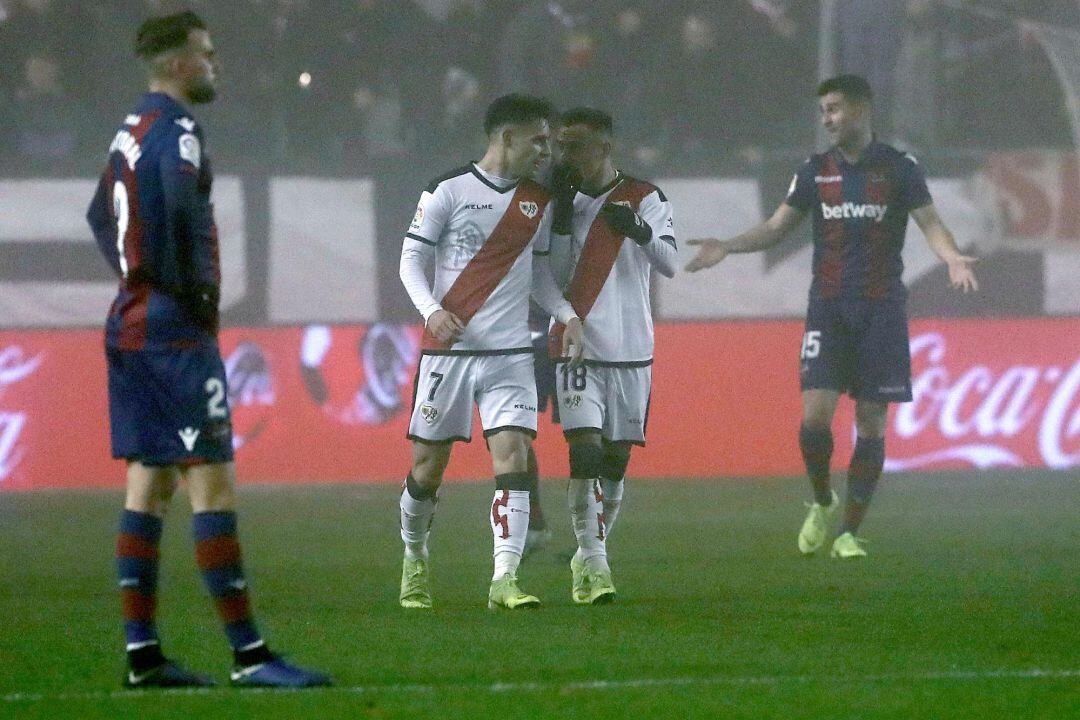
(360, 87)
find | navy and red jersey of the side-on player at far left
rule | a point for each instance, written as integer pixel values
(154, 222)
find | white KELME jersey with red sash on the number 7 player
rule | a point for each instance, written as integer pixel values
(484, 233)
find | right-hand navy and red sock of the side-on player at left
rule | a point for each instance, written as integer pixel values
(218, 553)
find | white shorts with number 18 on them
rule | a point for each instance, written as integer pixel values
(612, 399)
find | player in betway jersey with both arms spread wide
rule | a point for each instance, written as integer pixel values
(860, 194)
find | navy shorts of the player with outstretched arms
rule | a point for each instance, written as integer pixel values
(858, 347)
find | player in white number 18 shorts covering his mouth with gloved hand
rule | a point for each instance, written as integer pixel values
(610, 233)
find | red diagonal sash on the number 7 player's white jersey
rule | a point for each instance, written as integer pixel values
(491, 265)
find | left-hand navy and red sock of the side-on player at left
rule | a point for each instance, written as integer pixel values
(138, 542)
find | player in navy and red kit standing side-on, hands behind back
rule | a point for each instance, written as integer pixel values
(169, 407)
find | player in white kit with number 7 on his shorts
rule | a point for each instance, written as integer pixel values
(487, 226)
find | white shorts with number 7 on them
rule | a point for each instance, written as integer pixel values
(503, 387)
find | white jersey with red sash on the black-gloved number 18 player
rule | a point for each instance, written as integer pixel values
(606, 277)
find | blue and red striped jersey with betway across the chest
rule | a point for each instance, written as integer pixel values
(860, 220)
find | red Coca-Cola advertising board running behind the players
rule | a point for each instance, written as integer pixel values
(332, 404)
